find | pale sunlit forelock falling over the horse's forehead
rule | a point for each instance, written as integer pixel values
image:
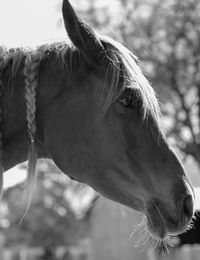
(124, 65)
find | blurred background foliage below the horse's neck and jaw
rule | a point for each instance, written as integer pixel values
(53, 218)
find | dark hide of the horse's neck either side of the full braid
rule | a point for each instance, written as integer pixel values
(13, 103)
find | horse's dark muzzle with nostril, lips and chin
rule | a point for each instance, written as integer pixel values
(163, 220)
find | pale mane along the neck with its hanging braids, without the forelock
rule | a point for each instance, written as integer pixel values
(31, 60)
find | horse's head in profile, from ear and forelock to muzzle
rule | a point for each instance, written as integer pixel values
(104, 130)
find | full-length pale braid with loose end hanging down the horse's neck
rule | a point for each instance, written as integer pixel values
(31, 74)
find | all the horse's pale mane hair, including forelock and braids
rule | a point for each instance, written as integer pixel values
(122, 71)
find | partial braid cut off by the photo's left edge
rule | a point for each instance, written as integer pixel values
(1, 119)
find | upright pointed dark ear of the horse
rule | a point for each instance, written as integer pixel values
(82, 36)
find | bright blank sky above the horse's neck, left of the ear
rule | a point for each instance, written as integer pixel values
(25, 22)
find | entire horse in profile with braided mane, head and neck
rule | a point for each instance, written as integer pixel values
(87, 106)
